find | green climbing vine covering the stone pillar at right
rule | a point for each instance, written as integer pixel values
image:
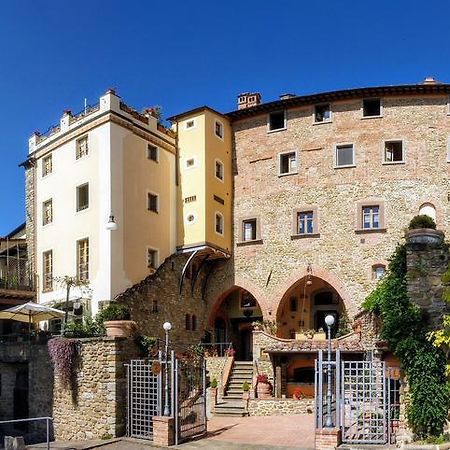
(405, 328)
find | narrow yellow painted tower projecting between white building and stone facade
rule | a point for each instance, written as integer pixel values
(204, 140)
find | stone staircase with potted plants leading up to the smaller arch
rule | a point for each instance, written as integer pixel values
(232, 404)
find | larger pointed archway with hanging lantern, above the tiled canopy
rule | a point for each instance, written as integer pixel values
(305, 305)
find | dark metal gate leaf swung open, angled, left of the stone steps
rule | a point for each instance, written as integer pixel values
(190, 398)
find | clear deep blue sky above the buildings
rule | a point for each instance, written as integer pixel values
(182, 54)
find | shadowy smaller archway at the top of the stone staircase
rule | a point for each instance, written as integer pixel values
(232, 321)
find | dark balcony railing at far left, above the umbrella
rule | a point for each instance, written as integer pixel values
(15, 273)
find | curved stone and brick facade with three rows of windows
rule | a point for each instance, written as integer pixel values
(338, 253)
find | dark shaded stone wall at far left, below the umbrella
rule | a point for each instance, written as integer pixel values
(31, 360)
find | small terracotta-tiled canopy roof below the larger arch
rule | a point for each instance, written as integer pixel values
(348, 343)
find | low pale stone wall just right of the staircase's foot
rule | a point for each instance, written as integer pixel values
(280, 407)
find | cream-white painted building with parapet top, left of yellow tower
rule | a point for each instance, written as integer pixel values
(119, 174)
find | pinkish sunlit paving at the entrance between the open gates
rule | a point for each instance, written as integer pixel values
(294, 432)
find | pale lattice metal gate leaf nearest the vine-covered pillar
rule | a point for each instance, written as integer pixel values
(364, 404)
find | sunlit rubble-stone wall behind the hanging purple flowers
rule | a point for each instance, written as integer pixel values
(96, 406)
